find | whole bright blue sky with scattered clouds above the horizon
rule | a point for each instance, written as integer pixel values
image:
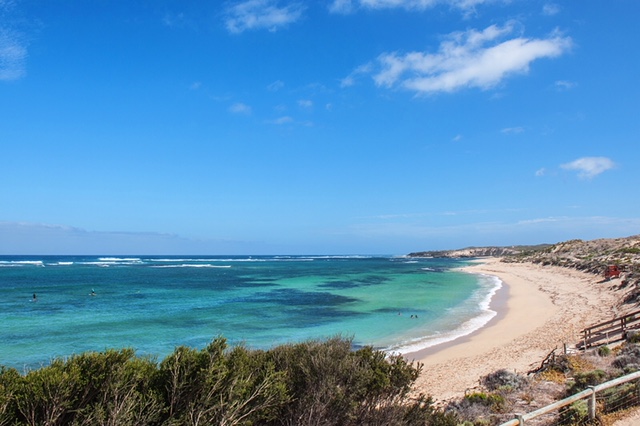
(300, 127)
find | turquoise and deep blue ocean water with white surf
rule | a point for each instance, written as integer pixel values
(154, 304)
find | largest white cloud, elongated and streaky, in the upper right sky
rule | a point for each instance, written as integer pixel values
(473, 58)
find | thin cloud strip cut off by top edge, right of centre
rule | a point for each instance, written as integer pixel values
(348, 6)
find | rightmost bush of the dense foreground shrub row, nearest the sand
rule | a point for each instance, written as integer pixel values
(329, 384)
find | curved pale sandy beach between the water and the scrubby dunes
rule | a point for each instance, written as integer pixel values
(539, 308)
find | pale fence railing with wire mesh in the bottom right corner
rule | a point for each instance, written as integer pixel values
(587, 405)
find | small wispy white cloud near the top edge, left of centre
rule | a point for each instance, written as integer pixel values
(261, 14)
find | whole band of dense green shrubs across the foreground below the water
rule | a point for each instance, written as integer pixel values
(310, 383)
